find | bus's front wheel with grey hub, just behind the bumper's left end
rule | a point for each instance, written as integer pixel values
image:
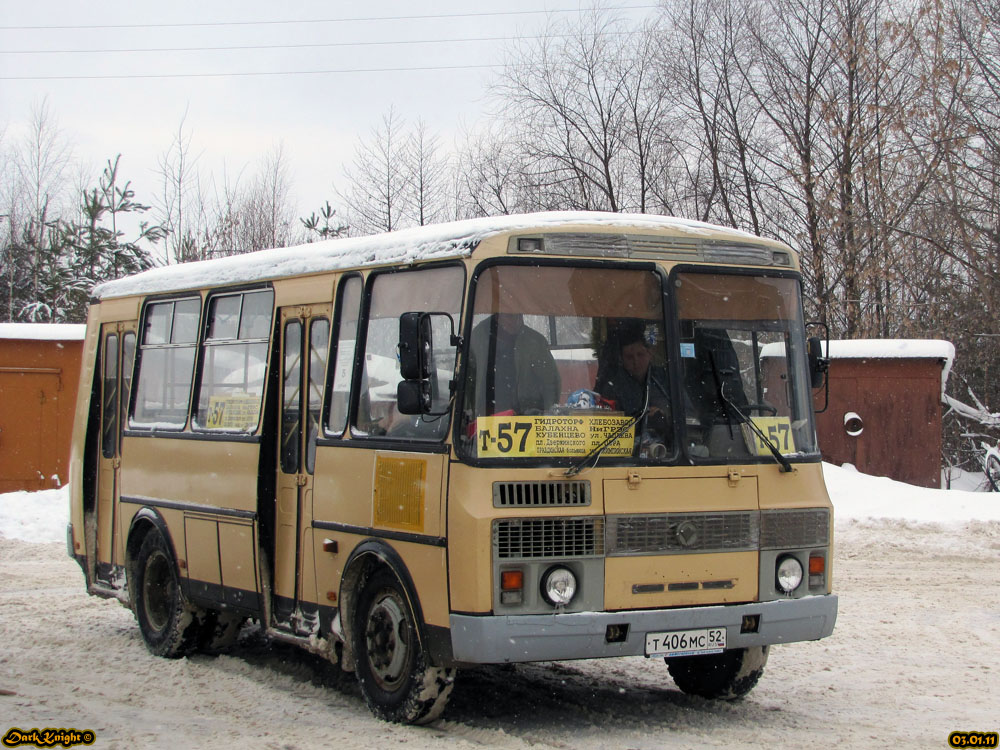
(396, 680)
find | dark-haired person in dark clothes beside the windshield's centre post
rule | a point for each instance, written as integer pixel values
(628, 375)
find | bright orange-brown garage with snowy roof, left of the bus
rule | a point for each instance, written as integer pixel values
(39, 373)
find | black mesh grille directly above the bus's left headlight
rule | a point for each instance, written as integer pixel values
(539, 538)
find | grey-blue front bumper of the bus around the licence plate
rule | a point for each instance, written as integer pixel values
(581, 635)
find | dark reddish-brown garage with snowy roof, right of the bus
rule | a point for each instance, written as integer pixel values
(884, 414)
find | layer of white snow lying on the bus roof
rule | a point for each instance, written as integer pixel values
(436, 241)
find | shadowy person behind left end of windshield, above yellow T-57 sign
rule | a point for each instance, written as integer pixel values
(518, 374)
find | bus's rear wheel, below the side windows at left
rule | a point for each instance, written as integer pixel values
(168, 622)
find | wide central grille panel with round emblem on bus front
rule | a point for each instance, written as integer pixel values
(678, 533)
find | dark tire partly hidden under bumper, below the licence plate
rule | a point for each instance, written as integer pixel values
(726, 676)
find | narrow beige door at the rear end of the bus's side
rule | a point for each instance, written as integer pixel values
(117, 353)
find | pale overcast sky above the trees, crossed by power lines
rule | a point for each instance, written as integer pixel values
(314, 100)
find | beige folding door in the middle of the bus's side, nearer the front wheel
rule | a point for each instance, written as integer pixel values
(305, 337)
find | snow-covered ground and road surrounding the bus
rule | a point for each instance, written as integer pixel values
(913, 657)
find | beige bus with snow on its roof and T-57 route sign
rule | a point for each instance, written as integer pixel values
(528, 438)
